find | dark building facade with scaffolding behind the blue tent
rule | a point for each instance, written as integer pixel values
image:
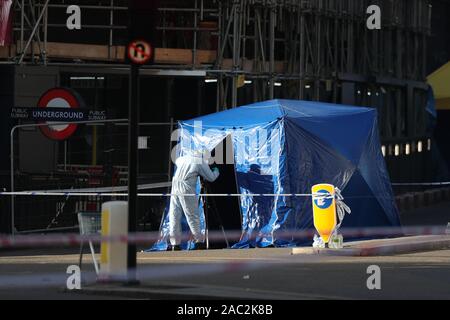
(210, 56)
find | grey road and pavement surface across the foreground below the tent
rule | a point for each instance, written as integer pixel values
(242, 274)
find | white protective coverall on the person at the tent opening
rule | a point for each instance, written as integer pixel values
(189, 168)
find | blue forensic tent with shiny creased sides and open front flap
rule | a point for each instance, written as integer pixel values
(285, 147)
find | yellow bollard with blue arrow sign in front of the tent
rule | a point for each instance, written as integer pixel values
(324, 210)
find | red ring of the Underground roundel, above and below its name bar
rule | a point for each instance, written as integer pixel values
(59, 98)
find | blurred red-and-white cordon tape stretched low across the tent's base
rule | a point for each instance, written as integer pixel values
(50, 240)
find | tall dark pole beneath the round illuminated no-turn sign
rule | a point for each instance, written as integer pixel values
(132, 167)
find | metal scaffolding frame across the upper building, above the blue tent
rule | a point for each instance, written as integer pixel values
(301, 49)
